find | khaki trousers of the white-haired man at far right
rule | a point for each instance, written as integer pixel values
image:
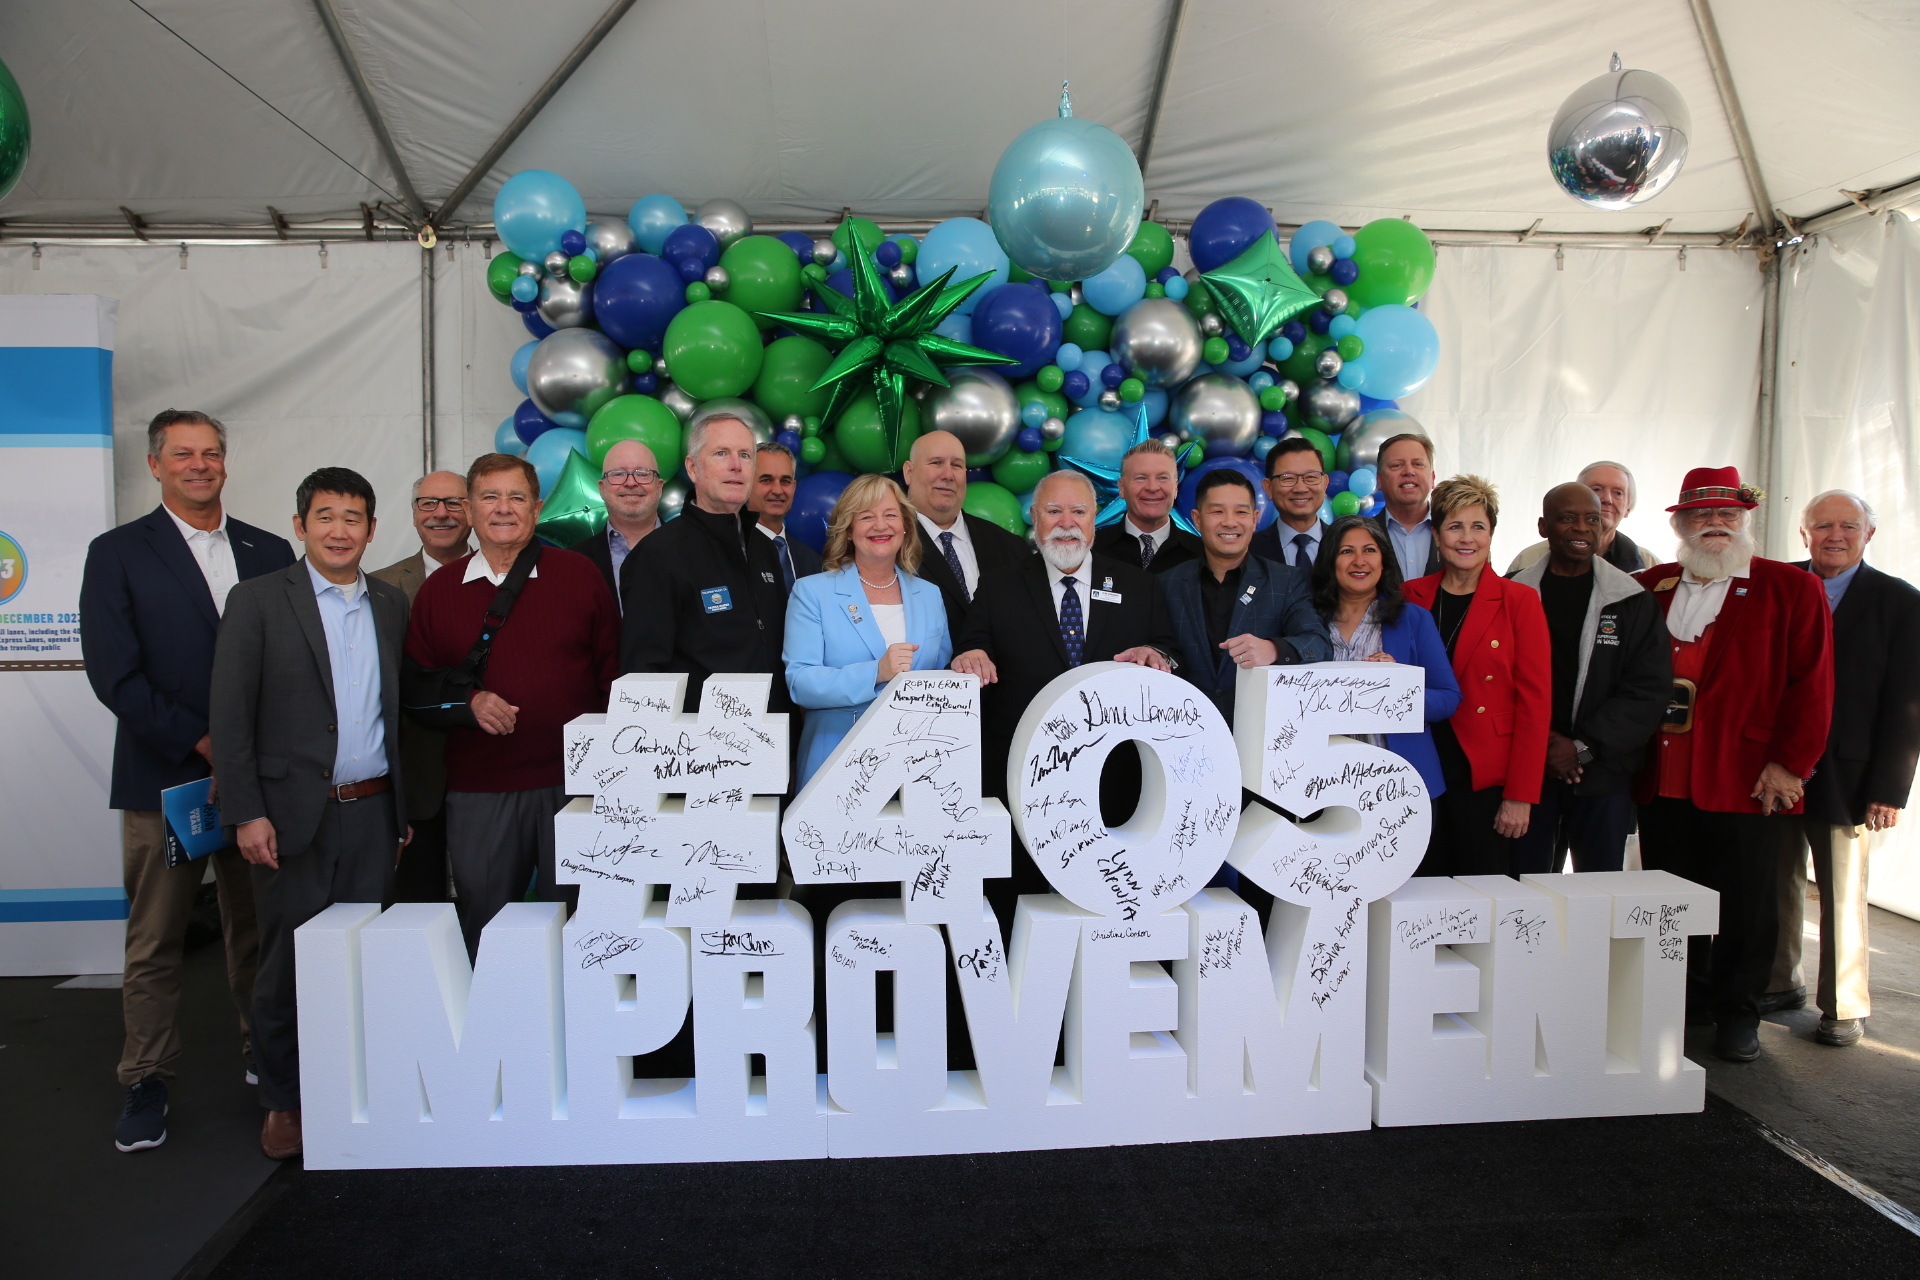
(1840, 870)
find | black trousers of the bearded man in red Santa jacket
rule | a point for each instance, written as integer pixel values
(1737, 857)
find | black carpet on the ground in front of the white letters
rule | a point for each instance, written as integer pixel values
(1644, 1197)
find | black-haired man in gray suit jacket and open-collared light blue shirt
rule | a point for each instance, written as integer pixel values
(306, 744)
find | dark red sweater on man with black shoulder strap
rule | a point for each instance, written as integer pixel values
(556, 659)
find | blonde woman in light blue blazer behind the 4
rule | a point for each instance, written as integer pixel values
(863, 619)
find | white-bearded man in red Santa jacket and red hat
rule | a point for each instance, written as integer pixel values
(1754, 692)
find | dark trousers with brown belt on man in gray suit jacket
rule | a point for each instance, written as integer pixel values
(350, 861)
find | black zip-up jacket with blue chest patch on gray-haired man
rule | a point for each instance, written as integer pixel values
(704, 594)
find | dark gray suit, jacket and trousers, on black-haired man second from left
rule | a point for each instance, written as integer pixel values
(276, 734)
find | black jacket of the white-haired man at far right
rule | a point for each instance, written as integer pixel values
(1875, 740)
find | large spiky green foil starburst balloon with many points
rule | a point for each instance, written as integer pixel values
(886, 344)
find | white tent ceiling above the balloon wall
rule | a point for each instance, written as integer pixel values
(1368, 108)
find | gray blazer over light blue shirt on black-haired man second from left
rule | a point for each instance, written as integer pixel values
(274, 703)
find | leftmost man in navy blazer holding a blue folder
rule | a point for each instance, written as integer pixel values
(151, 607)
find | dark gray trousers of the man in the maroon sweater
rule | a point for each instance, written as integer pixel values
(498, 843)
